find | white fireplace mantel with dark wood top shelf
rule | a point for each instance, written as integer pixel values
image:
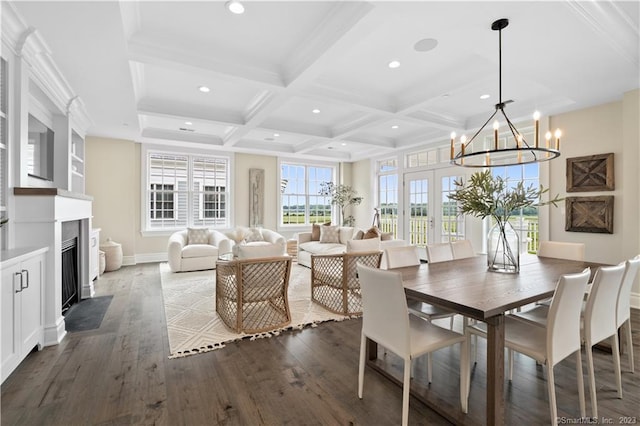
(40, 213)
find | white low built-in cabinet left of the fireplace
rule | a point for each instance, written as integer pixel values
(21, 306)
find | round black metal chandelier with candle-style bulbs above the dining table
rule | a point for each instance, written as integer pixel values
(518, 151)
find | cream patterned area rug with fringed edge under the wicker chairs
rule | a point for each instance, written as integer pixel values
(193, 325)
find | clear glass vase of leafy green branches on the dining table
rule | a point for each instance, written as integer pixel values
(485, 195)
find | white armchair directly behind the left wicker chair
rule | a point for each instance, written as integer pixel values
(257, 242)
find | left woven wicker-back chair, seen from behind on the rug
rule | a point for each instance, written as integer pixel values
(251, 294)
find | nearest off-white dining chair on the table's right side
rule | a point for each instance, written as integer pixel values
(551, 344)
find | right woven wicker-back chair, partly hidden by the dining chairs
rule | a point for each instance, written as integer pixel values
(334, 280)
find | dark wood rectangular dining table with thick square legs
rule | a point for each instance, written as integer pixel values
(466, 286)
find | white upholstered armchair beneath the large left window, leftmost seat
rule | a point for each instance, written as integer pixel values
(196, 249)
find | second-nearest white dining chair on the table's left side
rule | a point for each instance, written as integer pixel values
(399, 257)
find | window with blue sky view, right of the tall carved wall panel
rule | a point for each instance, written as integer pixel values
(301, 202)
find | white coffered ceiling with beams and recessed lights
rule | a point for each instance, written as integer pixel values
(138, 65)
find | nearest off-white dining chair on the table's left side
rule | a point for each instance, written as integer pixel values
(386, 320)
